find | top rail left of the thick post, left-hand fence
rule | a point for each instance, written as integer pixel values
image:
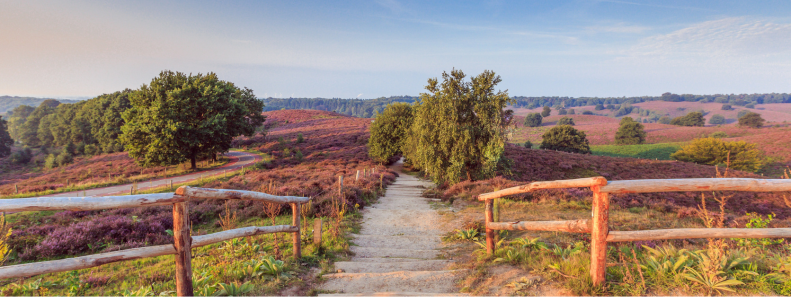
(88, 203)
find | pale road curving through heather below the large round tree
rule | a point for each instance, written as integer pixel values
(238, 160)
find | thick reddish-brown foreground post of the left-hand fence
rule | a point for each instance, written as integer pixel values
(183, 244)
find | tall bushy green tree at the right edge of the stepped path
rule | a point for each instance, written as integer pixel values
(459, 129)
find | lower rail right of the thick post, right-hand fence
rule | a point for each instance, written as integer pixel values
(684, 233)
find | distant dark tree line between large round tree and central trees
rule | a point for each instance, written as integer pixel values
(363, 108)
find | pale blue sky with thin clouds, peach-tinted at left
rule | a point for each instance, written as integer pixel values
(369, 49)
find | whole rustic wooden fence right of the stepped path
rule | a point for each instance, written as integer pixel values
(598, 225)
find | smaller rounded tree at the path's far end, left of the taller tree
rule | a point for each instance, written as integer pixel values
(389, 132)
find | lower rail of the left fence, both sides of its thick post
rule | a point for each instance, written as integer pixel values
(31, 269)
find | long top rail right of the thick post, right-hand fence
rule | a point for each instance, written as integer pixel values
(697, 184)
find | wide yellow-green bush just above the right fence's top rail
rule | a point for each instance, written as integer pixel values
(714, 151)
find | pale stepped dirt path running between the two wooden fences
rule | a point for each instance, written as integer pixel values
(397, 251)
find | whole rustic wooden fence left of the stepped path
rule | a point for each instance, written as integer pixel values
(183, 242)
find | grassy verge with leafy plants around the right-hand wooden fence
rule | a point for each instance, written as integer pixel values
(557, 263)
